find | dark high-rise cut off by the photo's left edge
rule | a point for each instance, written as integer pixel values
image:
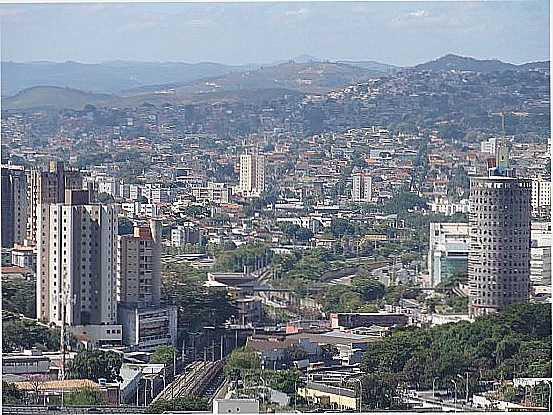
(14, 205)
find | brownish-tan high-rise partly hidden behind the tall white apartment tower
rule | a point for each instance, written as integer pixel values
(49, 187)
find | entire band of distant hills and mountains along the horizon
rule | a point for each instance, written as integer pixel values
(73, 85)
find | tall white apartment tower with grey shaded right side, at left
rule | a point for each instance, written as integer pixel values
(77, 250)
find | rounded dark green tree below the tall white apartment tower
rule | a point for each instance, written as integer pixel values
(96, 364)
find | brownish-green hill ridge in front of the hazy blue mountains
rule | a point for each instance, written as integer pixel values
(287, 78)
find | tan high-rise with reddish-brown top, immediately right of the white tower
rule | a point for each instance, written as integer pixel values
(139, 265)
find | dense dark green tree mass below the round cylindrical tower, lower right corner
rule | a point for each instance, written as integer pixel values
(514, 343)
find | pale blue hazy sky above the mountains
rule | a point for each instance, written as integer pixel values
(403, 33)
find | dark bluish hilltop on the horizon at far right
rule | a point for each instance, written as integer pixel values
(464, 63)
